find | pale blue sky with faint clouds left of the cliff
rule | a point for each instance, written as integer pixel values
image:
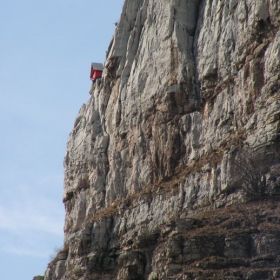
(46, 50)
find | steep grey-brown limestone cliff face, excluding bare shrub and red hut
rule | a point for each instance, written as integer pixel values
(187, 85)
